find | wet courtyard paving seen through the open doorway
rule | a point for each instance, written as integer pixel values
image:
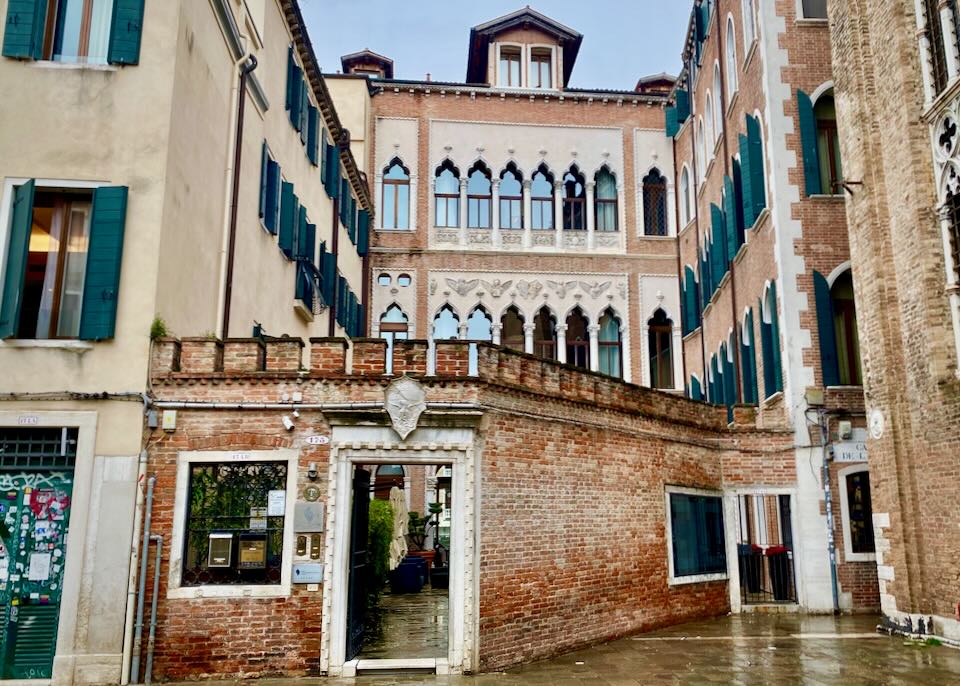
(412, 625)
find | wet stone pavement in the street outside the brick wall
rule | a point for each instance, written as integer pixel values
(746, 649)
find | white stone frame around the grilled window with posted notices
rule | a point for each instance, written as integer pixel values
(182, 496)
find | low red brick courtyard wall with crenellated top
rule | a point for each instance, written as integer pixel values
(573, 469)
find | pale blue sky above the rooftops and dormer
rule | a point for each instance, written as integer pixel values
(432, 36)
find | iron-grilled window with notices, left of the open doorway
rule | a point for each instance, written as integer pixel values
(231, 537)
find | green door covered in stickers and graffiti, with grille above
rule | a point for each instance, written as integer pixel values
(36, 482)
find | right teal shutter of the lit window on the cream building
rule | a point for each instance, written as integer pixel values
(101, 286)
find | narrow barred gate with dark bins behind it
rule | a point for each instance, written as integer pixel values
(765, 549)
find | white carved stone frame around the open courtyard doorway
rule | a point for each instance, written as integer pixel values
(380, 448)
